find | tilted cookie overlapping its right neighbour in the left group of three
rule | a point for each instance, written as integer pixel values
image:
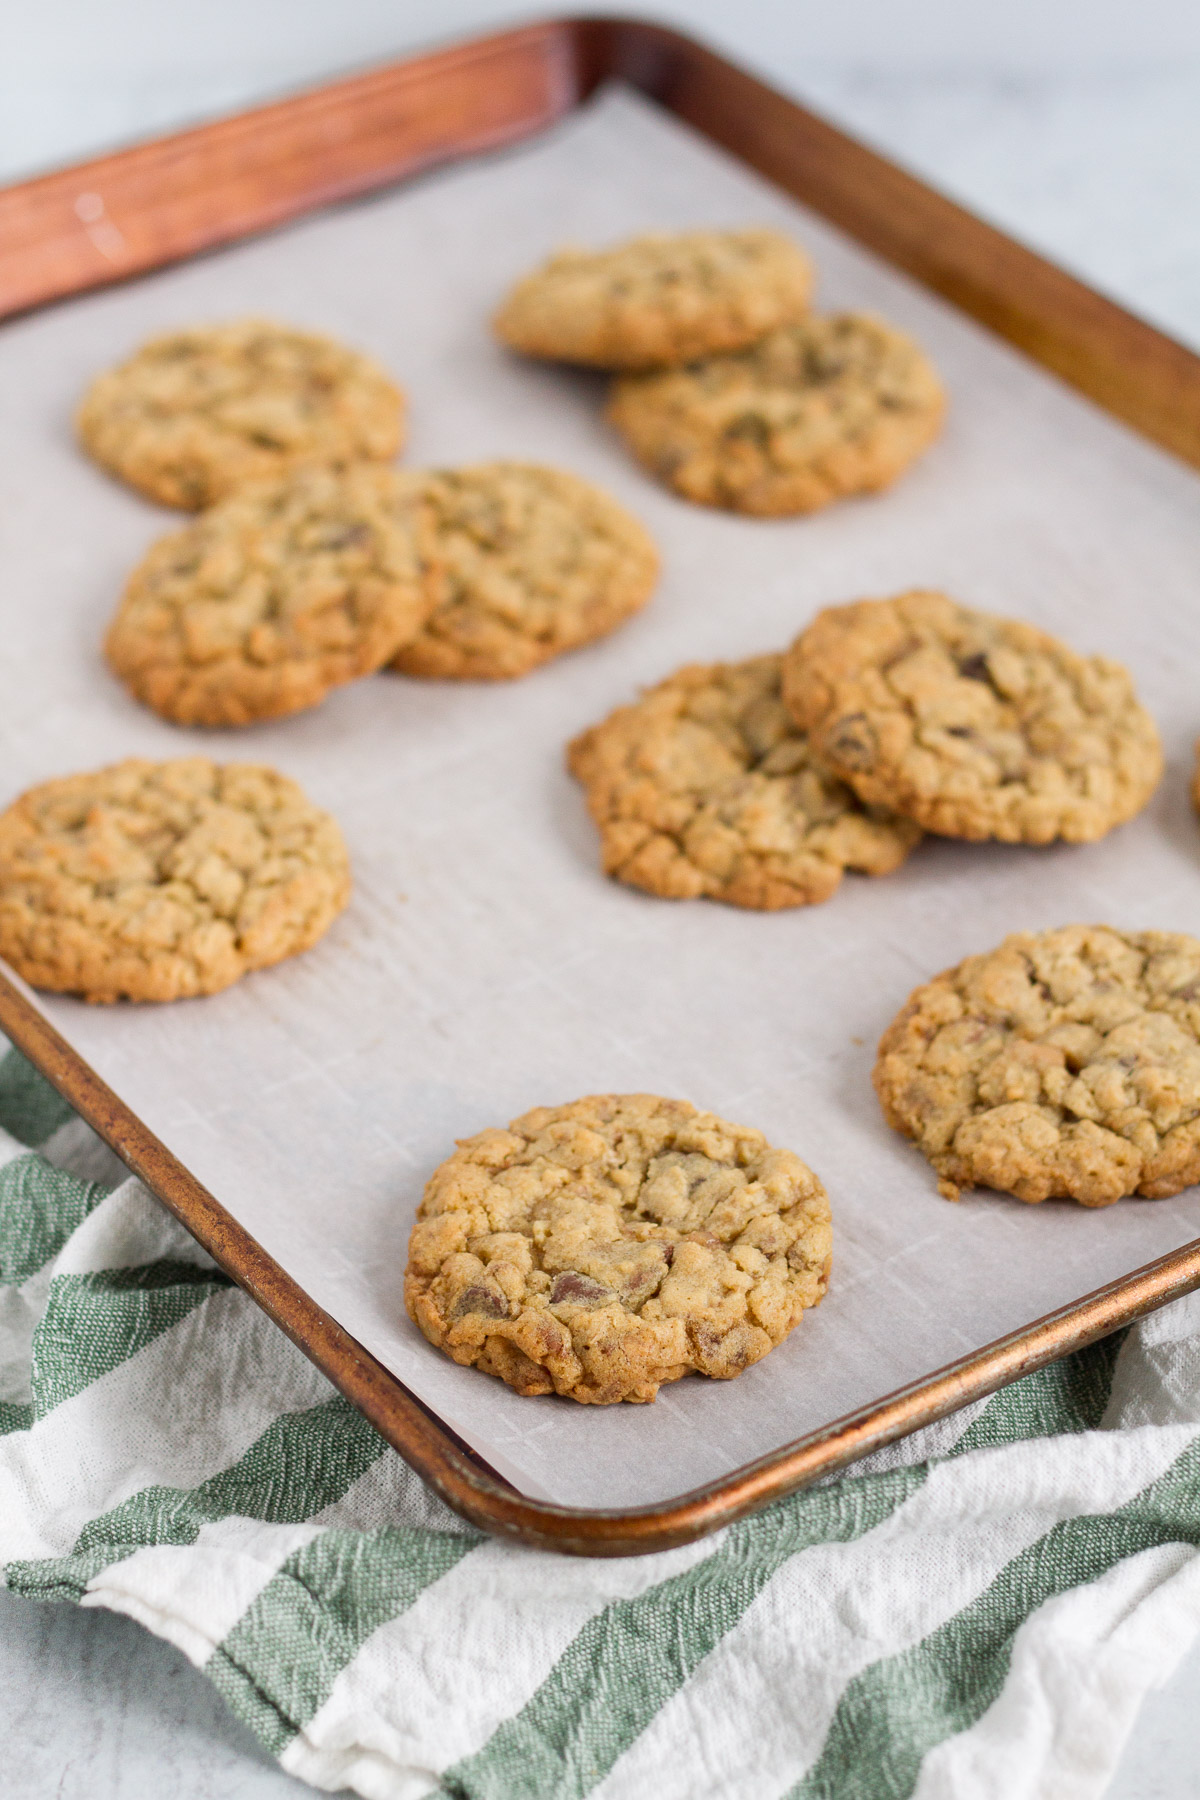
(274, 597)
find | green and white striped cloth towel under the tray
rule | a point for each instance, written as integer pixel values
(974, 1614)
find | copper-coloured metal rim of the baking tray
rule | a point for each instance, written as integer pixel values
(1133, 370)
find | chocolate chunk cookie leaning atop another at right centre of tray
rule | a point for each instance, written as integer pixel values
(972, 724)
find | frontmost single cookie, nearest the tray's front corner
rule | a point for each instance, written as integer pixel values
(604, 1248)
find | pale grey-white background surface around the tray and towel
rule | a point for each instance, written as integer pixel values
(1071, 123)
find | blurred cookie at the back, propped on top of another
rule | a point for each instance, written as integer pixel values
(658, 301)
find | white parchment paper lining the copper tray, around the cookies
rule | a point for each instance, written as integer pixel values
(485, 966)
